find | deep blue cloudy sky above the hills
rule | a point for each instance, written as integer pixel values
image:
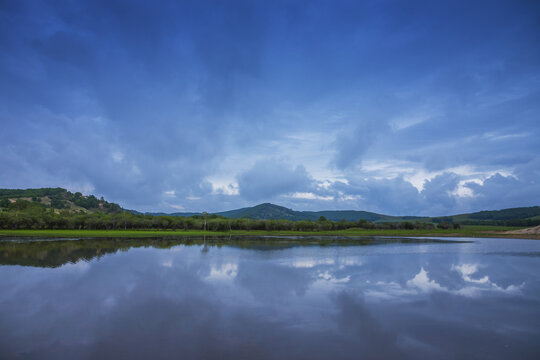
(398, 107)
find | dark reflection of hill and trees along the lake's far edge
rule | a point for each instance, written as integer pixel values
(55, 253)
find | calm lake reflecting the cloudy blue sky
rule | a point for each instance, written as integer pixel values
(270, 298)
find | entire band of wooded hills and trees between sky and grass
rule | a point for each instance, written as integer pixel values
(57, 208)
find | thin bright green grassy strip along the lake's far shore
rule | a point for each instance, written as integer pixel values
(467, 231)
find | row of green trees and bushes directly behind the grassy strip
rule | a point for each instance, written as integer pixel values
(23, 214)
